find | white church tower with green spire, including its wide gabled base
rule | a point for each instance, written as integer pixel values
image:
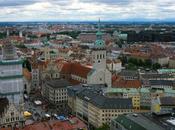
(99, 73)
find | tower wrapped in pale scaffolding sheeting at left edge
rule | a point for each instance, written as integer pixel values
(11, 76)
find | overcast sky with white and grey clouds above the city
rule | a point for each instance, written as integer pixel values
(86, 10)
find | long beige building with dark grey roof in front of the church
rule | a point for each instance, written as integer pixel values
(94, 108)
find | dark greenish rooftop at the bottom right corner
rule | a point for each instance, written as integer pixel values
(141, 121)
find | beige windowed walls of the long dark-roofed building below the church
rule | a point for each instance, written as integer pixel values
(97, 116)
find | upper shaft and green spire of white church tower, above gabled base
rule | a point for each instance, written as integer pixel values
(99, 51)
